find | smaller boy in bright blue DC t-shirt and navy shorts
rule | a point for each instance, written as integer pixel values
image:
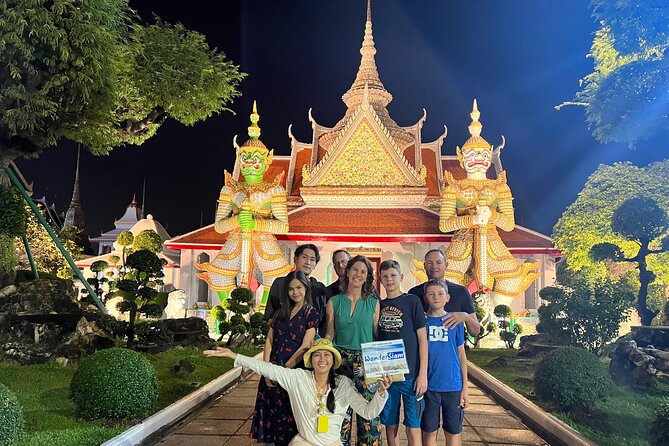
(447, 392)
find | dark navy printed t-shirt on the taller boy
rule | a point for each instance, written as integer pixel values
(399, 318)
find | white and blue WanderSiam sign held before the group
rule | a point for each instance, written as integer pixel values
(384, 358)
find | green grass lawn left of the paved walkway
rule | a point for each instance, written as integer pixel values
(43, 392)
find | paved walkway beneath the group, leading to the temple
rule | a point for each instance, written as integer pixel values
(227, 422)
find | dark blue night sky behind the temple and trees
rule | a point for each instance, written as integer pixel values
(519, 58)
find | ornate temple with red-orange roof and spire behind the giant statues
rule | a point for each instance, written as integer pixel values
(367, 185)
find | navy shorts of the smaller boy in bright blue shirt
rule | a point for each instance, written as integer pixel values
(446, 404)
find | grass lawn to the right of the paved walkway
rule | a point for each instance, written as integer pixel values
(623, 419)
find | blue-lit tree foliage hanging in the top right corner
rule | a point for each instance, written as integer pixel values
(625, 97)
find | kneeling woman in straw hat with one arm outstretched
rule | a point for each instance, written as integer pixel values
(319, 398)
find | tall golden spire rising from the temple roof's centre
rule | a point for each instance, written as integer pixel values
(367, 72)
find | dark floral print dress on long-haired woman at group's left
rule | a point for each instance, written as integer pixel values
(273, 420)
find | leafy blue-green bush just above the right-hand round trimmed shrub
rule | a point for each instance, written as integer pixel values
(584, 314)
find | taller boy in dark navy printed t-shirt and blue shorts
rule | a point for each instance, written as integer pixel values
(401, 316)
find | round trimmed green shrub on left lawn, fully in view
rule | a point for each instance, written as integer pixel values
(114, 383)
